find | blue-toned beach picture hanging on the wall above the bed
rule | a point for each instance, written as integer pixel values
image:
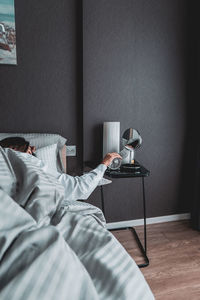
(7, 33)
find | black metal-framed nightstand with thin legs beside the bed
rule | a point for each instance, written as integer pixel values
(138, 171)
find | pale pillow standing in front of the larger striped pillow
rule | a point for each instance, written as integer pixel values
(48, 155)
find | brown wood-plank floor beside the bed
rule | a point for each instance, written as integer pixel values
(174, 254)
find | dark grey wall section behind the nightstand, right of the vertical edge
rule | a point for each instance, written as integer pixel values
(135, 72)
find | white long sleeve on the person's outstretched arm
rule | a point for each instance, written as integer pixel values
(80, 187)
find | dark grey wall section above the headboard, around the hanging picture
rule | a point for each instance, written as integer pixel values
(41, 93)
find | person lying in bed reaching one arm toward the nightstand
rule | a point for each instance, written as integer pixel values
(78, 187)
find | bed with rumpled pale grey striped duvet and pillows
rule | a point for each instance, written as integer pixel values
(52, 247)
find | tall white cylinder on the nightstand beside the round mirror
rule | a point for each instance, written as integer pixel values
(111, 137)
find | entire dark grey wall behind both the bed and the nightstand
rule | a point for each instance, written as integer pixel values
(135, 72)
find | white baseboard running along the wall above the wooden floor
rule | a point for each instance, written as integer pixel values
(155, 220)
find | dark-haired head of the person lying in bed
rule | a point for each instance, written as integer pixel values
(18, 144)
